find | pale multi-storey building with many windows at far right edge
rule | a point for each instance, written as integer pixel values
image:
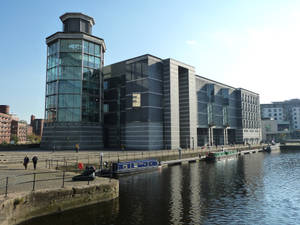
(287, 115)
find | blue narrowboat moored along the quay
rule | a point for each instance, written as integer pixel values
(122, 168)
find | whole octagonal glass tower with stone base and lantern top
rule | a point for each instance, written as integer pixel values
(74, 86)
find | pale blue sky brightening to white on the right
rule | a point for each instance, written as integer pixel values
(253, 44)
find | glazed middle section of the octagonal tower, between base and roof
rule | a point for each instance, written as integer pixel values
(73, 81)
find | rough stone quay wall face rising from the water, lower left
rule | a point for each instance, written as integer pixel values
(19, 207)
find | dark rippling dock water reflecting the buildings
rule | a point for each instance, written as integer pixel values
(254, 189)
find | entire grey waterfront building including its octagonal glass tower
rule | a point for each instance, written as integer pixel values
(148, 102)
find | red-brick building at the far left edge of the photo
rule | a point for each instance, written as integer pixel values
(5, 124)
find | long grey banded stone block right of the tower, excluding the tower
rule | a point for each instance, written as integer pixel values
(153, 103)
